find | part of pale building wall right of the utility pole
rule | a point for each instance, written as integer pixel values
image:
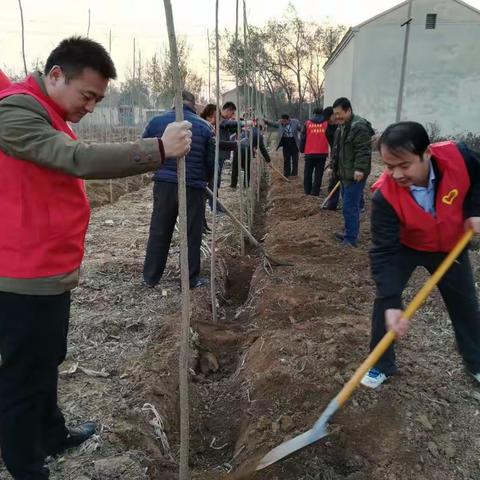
(443, 68)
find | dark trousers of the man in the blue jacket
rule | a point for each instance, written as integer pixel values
(162, 225)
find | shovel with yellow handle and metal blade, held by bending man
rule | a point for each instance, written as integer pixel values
(319, 429)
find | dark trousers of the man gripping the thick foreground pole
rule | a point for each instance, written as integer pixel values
(33, 342)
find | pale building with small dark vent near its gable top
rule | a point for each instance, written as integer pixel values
(443, 68)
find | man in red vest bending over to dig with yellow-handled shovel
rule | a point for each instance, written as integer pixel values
(426, 198)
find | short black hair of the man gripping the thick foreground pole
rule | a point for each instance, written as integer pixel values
(74, 54)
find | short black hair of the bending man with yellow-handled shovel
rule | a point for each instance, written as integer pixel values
(405, 136)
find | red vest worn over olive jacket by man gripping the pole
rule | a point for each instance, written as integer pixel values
(44, 212)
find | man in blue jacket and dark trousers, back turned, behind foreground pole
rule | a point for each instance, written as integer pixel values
(199, 163)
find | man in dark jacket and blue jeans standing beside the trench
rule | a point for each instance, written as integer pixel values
(352, 164)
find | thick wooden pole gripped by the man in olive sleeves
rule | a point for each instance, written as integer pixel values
(184, 473)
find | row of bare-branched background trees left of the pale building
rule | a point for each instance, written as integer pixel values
(286, 56)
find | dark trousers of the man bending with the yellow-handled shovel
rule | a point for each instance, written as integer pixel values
(457, 288)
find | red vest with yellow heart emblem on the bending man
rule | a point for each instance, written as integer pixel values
(421, 230)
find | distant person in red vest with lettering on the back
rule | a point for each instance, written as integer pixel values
(314, 144)
